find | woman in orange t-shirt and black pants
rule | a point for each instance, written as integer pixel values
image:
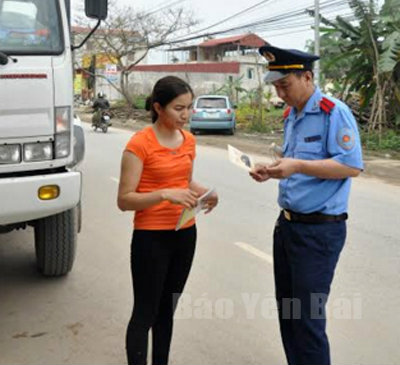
(156, 182)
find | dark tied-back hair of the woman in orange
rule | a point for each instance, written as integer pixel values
(165, 90)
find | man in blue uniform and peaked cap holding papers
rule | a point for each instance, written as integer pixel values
(320, 153)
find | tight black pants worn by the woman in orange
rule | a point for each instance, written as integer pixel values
(160, 264)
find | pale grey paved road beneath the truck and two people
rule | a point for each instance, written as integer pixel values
(227, 315)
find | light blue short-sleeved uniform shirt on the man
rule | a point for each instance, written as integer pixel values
(316, 135)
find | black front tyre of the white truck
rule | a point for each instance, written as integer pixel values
(55, 241)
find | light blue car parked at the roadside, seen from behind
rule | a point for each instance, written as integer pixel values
(213, 112)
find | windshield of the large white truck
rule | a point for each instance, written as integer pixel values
(30, 27)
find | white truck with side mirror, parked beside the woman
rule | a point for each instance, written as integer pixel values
(40, 146)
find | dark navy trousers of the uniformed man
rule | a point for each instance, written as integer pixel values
(305, 257)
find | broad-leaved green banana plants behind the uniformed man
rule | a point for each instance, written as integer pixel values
(366, 53)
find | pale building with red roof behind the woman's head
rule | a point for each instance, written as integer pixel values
(232, 64)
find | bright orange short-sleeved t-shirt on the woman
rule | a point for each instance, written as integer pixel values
(163, 168)
